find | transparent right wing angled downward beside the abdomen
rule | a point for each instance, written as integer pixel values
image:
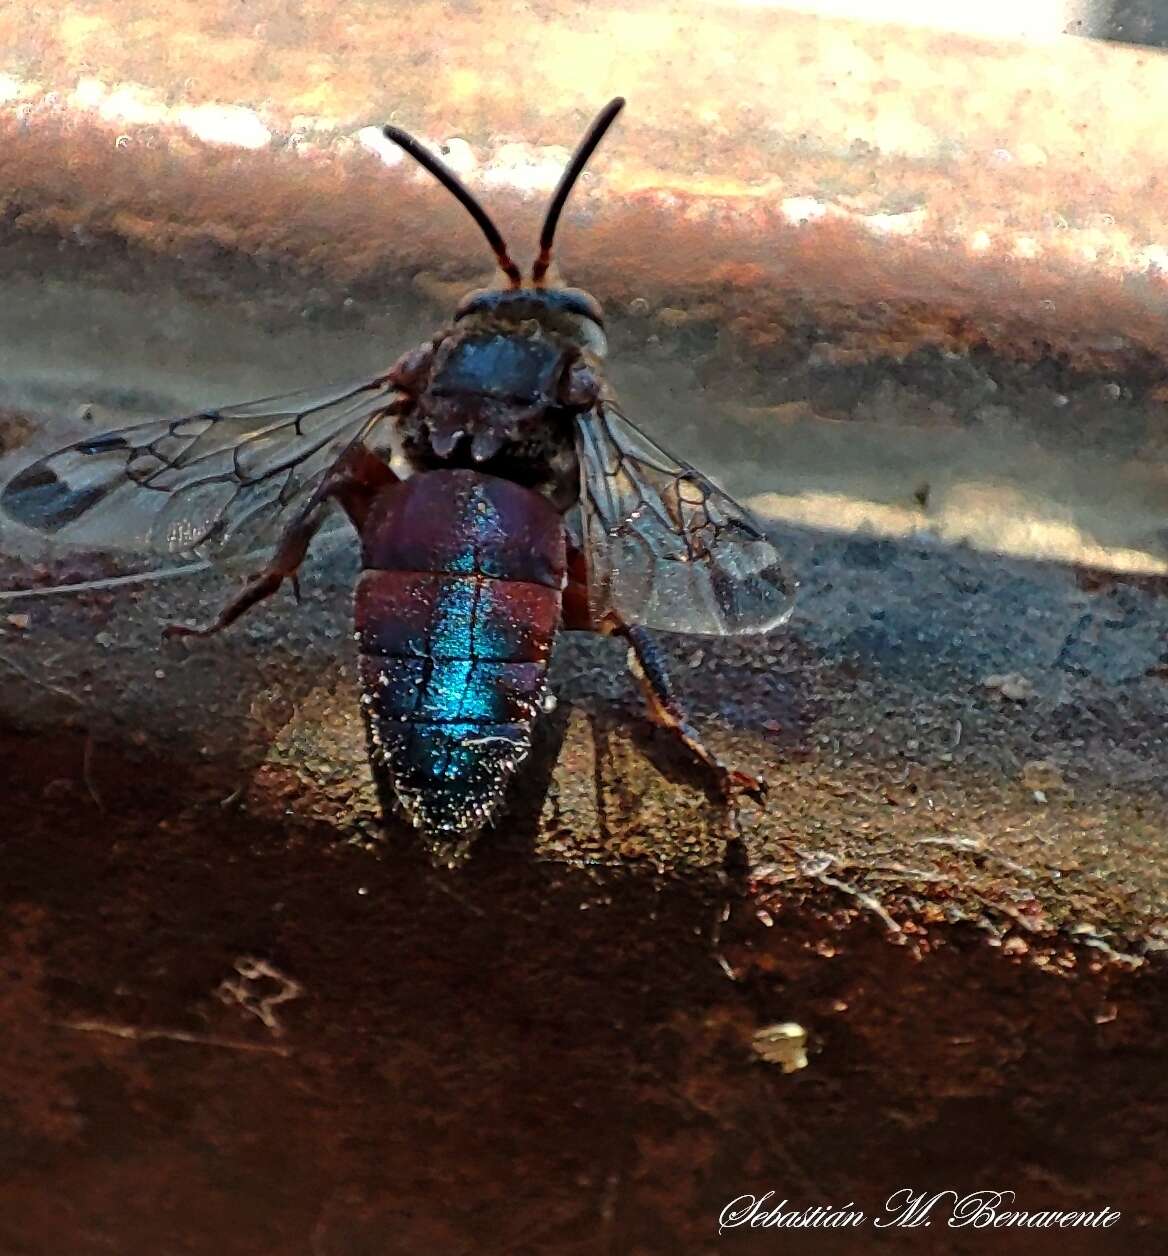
(665, 547)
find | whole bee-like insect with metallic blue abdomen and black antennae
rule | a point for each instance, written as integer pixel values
(531, 504)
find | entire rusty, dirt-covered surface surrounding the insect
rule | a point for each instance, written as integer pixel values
(243, 1012)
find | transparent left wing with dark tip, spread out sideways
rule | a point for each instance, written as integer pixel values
(215, 484)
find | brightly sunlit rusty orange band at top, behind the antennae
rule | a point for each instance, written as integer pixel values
(901, 187)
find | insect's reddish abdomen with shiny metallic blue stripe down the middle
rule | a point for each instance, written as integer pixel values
(457, 614)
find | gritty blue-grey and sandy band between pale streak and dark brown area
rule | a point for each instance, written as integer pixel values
(954, 735)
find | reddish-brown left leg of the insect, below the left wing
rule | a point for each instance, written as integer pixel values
(355, 482)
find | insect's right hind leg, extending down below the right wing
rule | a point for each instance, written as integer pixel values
(647, 664)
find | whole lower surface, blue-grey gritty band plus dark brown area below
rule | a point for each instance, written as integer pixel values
(227, 980)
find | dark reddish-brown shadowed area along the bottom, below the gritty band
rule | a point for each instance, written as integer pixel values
(526, 1058)
